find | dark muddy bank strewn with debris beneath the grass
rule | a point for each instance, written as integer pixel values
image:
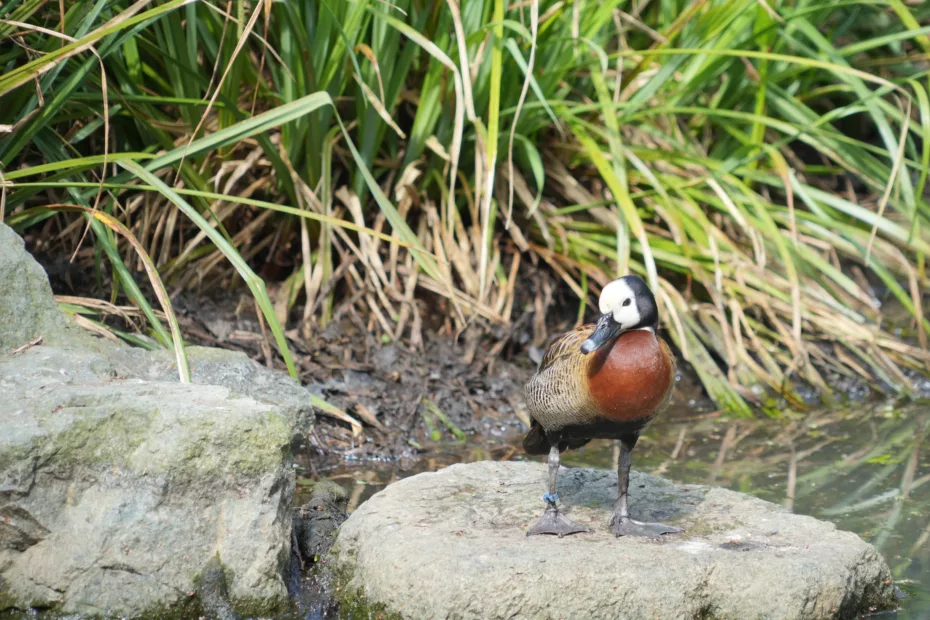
(407, 400)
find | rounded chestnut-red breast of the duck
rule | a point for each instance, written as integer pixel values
(633, 377)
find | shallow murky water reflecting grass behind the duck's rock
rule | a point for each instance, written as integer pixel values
(867, 470)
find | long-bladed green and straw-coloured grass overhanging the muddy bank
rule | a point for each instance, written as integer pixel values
(762, 164)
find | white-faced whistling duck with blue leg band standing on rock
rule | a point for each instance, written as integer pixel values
(607, 380)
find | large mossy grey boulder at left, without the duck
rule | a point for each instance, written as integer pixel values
(118, 483)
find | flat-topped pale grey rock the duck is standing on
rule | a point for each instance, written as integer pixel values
(452, 544)
